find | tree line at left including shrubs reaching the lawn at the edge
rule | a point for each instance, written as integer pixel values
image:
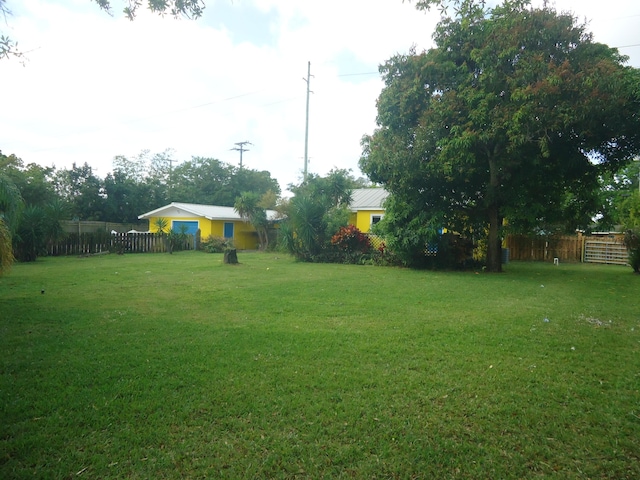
(35, 199)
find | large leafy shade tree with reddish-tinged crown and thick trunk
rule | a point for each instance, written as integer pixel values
(510, 119)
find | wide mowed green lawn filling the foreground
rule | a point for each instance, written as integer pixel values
(179, 366)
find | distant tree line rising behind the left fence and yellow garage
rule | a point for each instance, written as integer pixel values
(134, 186)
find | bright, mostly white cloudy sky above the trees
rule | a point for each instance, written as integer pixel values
(94, 86)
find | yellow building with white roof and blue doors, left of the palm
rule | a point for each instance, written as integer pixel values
(210, 220)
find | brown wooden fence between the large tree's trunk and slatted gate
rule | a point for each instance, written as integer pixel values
(566, 248)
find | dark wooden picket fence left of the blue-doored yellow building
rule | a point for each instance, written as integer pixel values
(102, 242)
